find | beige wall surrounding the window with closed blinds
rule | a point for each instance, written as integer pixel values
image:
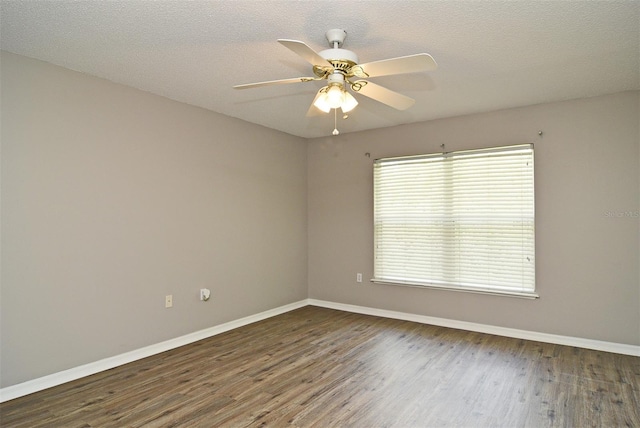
(587, 225)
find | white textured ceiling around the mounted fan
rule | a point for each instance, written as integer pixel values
(490, 55)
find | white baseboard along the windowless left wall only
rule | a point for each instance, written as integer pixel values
(39, 384)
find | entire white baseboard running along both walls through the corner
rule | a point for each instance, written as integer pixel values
(65, 376)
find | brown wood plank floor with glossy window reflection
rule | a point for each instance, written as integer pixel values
(316, 367)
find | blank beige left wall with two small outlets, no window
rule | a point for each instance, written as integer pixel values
(113, 198)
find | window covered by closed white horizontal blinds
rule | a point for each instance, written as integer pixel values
(460, 220)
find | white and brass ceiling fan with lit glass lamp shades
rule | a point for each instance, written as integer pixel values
(340, 68)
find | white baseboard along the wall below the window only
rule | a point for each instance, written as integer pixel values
(618, 348)
